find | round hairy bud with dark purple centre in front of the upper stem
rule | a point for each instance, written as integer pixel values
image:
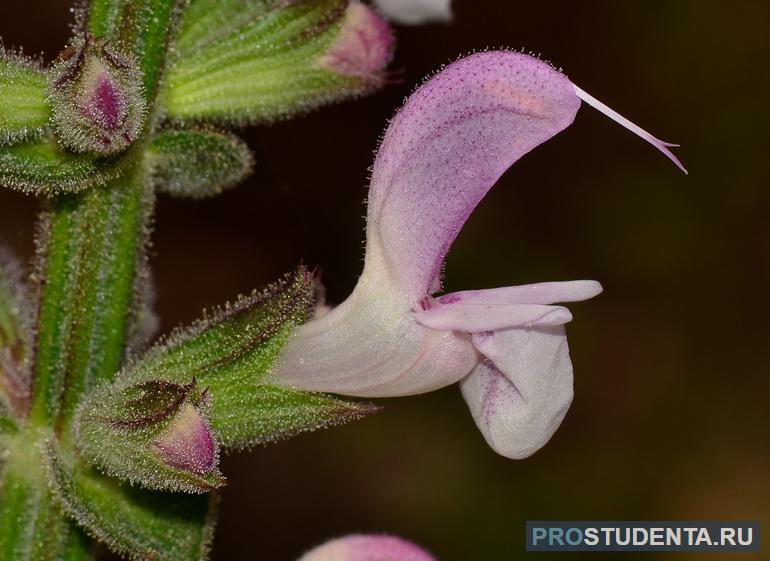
(97, 99)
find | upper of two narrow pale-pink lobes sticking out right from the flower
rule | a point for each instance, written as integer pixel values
(539, 293)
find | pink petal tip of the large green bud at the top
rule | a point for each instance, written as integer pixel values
(363, 47)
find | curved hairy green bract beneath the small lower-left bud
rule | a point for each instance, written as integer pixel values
(133, 522)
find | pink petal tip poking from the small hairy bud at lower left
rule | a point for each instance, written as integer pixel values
(187, 443)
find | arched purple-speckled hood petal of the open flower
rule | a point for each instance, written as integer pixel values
(454, 137)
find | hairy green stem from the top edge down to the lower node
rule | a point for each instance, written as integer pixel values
(94, 241)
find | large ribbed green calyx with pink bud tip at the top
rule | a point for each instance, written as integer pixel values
(256, 61)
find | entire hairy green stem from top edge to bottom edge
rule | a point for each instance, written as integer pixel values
(91, 248)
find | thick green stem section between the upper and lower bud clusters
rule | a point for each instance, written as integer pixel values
(92, 247)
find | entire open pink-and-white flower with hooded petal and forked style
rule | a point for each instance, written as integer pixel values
(443, 151)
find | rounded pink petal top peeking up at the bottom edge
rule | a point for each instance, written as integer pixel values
(367, 548)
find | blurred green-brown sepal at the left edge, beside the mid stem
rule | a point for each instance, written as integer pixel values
(15, 338)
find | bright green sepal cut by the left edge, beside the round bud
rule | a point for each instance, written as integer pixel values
(24, 109)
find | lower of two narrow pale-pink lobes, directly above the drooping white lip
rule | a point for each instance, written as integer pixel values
(475, 318)
